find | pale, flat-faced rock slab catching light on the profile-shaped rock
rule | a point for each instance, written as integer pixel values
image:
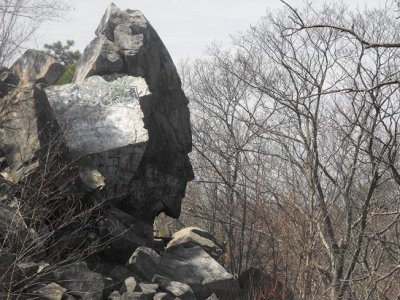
(100, 113)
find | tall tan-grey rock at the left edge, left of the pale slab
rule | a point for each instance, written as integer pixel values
(27, 128)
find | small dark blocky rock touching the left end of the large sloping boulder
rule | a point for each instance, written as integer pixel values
(144, 262)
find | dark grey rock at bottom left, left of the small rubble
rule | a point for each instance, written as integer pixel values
(80, 281)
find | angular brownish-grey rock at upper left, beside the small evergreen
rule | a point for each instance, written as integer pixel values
(37, 67)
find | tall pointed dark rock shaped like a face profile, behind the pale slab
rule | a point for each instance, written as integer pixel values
(154, 170)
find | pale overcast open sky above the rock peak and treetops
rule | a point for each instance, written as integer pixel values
(186, 27)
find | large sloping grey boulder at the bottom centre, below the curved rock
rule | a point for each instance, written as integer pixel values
(200, 271)
